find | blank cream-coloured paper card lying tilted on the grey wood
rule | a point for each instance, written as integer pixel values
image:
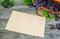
(26, 23)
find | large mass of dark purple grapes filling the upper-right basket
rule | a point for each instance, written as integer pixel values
(47, 4)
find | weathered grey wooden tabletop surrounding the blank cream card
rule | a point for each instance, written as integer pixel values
(4, 17)
